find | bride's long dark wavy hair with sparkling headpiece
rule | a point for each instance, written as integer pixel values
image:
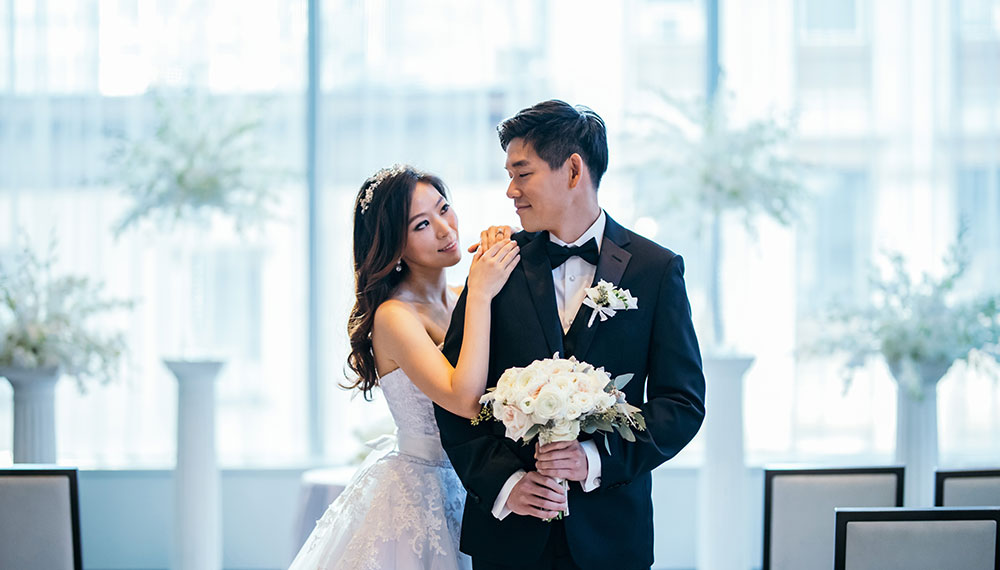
(381, 214)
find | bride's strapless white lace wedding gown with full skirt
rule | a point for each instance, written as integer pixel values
(403, 507)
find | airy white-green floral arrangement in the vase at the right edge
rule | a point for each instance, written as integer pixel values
(920, 327)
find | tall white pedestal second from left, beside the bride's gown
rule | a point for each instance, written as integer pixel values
(197, 504)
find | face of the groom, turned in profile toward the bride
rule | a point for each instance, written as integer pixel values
(538, 191)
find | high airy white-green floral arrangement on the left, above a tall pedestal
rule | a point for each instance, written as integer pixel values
(204, 158)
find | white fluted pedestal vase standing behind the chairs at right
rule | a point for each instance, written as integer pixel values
(917, 434)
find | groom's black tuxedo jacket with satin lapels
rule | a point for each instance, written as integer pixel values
(612, 526)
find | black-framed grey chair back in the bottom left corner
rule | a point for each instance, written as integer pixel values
(39, 519)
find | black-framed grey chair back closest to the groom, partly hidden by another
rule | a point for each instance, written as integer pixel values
(799, 506)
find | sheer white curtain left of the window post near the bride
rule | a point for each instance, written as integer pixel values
(76, 77)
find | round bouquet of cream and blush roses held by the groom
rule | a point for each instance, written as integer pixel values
(556, 398)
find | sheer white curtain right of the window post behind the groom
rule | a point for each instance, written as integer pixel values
(897, 110)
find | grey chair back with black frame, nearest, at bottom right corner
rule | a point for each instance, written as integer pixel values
(918, 539)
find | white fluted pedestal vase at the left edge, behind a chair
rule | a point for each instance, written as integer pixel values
(34, 412)
